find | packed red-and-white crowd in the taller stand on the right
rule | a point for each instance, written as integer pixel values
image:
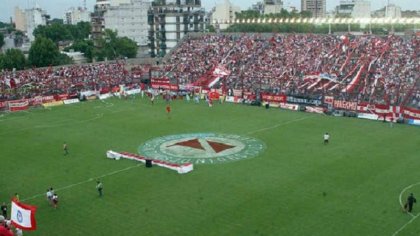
(363, 68)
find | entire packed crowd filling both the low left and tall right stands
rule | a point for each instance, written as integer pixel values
(363, 68)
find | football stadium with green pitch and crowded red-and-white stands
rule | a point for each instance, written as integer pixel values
(228, 134)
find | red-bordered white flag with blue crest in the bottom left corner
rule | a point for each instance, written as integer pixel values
(23, 216)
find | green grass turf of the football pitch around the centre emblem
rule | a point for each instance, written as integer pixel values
(297, 186)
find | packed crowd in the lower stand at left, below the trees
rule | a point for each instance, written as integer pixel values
(50, 81)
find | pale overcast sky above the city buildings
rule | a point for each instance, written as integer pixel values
(56, 8)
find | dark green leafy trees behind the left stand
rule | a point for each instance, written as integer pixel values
(44, 51)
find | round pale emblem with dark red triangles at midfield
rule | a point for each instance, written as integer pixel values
(202, 148)
